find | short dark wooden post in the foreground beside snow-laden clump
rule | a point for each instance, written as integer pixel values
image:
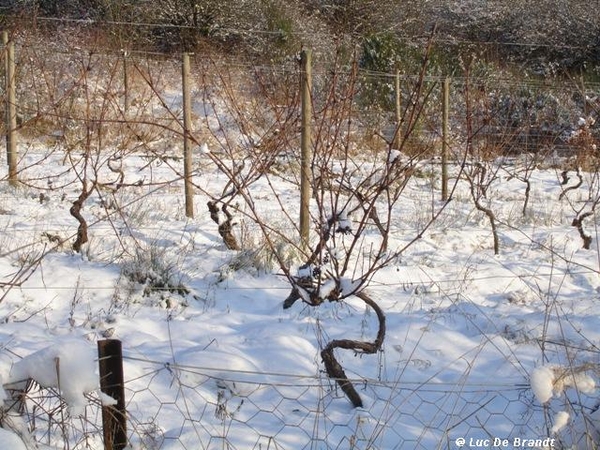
(114, 417)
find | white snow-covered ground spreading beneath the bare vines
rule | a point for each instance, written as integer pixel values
(478, 346)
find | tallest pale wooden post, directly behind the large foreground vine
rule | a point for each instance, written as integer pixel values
(305, 146)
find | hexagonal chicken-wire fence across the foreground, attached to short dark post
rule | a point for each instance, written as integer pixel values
(174, 406)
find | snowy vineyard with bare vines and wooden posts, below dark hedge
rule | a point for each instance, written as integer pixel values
(445, 286)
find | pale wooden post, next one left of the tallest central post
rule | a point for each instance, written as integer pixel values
(187, 144)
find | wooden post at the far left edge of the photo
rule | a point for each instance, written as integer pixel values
(11, 108)
